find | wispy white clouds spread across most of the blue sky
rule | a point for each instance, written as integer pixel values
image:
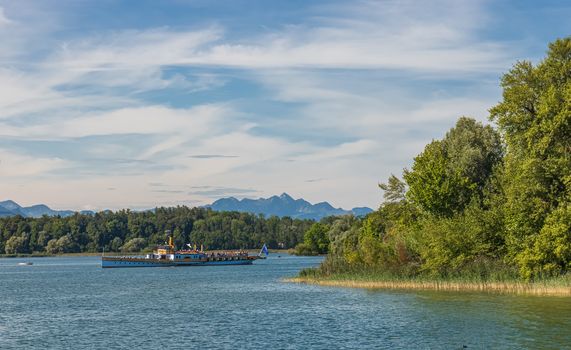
(327, 68)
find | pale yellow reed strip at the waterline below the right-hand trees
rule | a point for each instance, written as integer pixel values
(517, 288)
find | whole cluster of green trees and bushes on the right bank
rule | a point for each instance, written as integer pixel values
(483, 201)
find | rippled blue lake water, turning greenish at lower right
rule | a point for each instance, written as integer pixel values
(71, 303)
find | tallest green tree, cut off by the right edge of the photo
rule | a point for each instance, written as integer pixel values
(534, 118)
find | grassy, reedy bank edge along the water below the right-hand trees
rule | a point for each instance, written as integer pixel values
(560, 286)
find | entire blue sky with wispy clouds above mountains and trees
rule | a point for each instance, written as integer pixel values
(114, 104)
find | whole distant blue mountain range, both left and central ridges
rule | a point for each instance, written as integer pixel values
(283, 205)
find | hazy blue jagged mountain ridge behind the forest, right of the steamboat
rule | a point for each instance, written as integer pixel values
(285, 205)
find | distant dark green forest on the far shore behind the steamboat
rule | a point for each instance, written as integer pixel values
(130, 231)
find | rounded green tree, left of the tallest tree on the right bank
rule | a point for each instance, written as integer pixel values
(449, 173)
